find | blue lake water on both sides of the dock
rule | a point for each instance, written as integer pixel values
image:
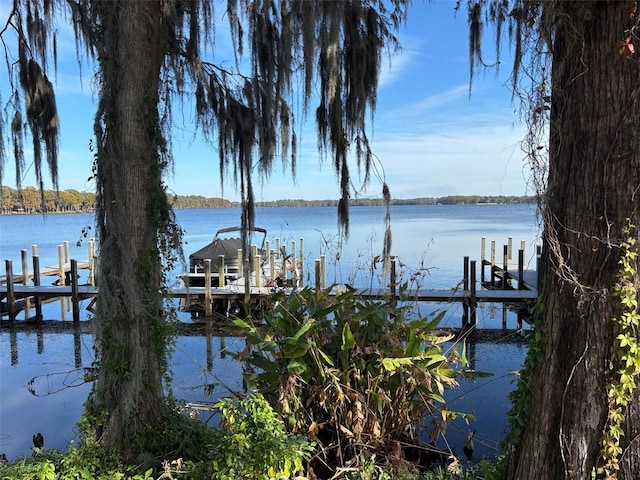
(430, 241)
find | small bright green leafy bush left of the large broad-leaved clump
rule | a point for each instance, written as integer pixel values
(252, 444)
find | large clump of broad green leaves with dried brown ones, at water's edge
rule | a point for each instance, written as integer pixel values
(355, 375)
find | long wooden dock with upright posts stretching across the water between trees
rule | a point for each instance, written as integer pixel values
(510, 285)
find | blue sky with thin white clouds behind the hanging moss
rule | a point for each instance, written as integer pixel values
(432, 139)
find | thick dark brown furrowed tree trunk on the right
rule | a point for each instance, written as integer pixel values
(594, 175)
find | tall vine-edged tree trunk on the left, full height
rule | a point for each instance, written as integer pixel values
(130, 344)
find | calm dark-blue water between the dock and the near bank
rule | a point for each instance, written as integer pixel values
(44, 381)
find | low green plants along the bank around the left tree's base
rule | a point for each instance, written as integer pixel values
(252, 445)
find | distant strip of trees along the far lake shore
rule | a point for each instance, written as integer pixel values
(29, 200)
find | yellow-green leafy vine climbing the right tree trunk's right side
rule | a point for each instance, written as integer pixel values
(620, 389)
